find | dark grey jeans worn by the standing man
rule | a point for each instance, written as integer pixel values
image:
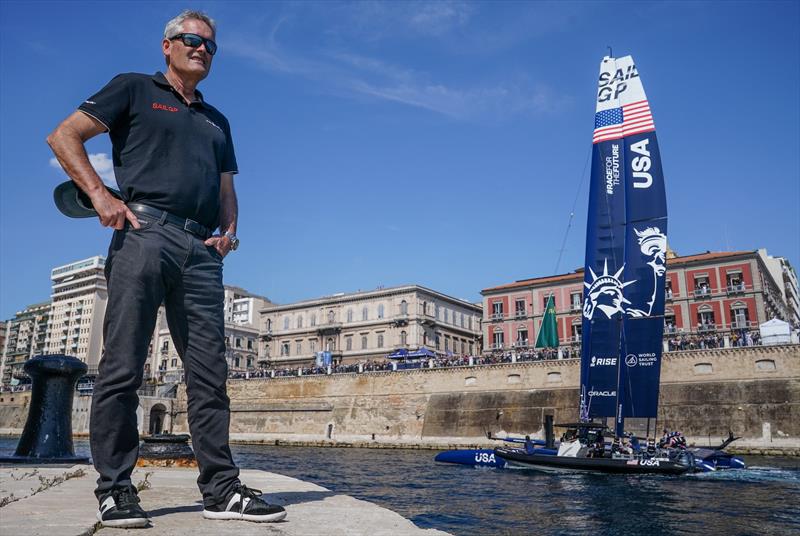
(145, 267)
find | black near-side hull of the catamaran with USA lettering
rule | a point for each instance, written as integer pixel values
(519, 458)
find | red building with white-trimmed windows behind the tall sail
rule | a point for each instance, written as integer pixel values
(709, 293)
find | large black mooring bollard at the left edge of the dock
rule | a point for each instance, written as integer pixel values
(47, 436)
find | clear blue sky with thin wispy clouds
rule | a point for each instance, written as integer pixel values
(439, 143)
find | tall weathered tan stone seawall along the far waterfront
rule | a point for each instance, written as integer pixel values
(755, 392)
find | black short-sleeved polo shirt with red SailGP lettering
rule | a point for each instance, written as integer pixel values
(167, 154)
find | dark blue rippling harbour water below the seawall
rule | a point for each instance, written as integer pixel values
(464, 500)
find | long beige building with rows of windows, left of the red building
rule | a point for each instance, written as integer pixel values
(367, 325)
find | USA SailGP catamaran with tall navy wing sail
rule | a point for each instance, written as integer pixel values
(623, 308)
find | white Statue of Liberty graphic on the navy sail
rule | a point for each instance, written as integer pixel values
(606, 291)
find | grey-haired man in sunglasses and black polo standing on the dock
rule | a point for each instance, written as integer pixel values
(174, 163)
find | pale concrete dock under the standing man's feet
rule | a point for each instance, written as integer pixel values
(59, 501)
